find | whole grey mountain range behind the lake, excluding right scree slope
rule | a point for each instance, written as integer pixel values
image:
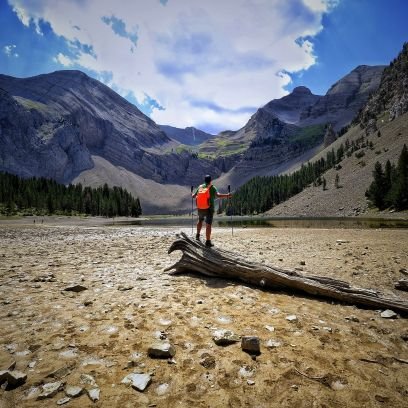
(72, 128)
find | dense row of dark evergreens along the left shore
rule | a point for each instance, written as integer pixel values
(40, 196)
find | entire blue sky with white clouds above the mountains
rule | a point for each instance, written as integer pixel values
(206, 64)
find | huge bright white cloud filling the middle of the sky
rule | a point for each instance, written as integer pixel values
(204, 62)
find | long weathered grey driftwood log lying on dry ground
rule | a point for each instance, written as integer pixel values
(228, 265)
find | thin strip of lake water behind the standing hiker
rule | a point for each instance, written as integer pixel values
(269, 222)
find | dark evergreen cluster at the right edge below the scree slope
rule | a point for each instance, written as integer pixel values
(389, 187)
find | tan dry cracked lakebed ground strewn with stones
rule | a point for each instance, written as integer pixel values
(332, 356)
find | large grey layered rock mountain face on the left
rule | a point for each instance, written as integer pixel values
(52, 124)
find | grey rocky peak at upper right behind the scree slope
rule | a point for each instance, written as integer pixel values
(344, 99)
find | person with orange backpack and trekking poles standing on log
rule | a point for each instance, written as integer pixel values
(205, 196)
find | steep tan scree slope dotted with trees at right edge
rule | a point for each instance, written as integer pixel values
(378, 133)
